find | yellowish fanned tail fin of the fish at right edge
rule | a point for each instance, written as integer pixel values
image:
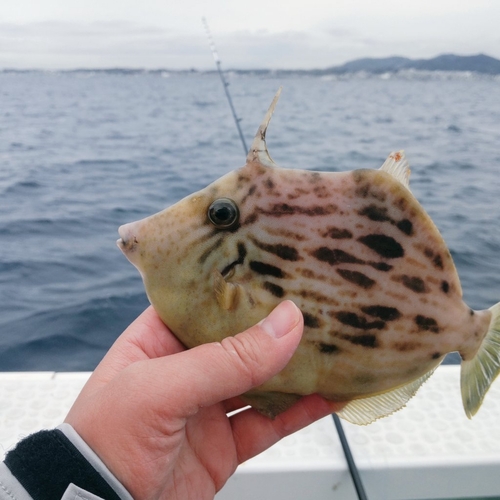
(478, 374)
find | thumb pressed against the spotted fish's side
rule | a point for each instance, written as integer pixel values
(218, 371)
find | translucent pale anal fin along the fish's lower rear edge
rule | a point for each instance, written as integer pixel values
(367, 410)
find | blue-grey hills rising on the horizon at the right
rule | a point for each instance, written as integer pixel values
(447, 62)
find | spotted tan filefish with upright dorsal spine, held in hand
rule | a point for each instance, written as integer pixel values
(355, 251)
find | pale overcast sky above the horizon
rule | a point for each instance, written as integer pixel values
(275, 34)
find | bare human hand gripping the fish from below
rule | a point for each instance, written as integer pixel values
(156, 414)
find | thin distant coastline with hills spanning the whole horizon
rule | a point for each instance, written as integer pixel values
(480, 64)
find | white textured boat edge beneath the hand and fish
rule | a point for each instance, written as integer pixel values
(429, 450)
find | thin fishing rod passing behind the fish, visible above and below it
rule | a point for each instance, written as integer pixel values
(353, 470)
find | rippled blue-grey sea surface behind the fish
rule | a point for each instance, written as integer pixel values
(82, 153)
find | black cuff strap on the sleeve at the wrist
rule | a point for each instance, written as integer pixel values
(46, 463)
